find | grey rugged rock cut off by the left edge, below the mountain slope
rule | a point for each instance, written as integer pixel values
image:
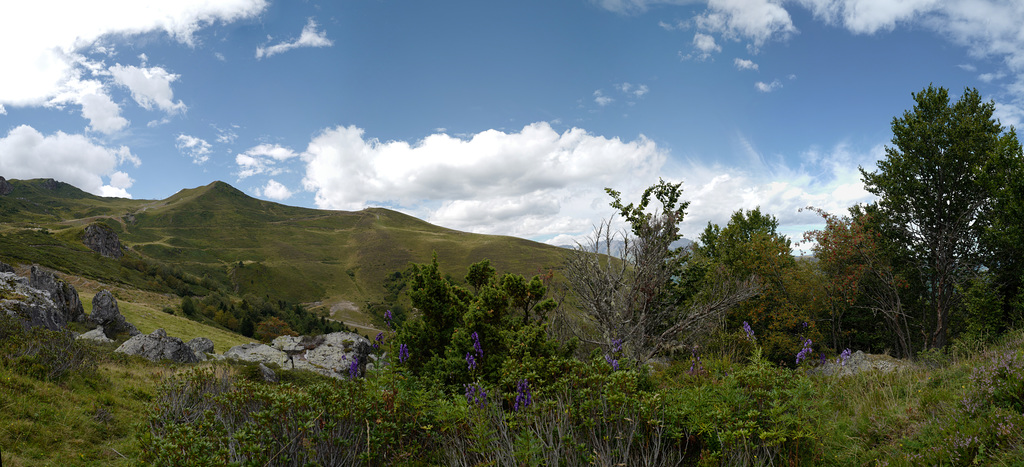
(31, 306)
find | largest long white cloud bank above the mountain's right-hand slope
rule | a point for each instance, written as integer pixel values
(530, 184)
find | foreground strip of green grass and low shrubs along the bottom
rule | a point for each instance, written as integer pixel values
(963, 407)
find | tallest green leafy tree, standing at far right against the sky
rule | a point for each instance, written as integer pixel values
(934, 191)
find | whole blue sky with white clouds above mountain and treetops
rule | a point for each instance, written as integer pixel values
(502, 118)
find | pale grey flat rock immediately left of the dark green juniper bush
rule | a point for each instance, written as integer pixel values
(336, 355)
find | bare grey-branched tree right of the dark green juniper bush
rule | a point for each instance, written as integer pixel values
(622, 287)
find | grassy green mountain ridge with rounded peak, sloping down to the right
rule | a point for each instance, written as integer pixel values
(217, 237)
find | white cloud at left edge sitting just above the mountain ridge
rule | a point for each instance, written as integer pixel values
(75, 159)
